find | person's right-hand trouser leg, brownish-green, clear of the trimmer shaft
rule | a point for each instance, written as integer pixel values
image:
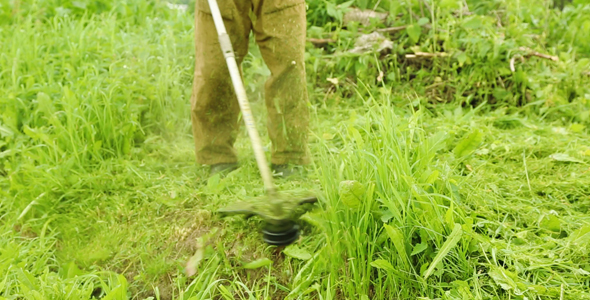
(280, 31)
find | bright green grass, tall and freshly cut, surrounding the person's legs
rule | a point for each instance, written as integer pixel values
(101, 198)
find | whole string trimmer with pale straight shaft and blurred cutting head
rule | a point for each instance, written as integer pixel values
(277, 211)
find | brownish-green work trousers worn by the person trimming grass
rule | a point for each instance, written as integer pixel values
(279, 28)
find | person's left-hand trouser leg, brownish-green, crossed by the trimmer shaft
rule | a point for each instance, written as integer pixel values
(214, 107)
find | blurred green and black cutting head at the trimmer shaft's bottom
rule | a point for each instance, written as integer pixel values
(279, 215)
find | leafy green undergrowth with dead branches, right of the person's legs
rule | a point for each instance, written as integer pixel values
(482, 44)
